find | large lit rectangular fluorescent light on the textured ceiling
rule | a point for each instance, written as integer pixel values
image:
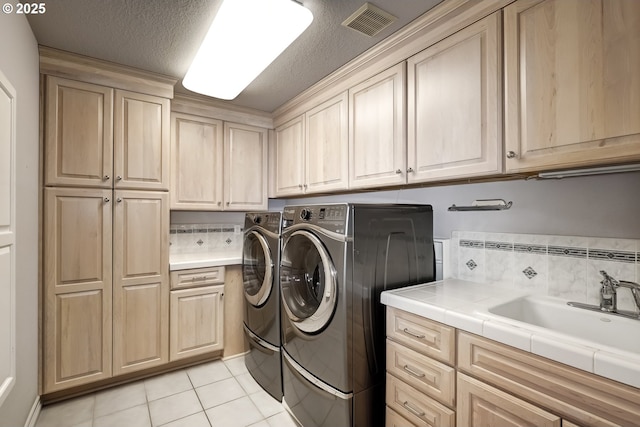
(244, 38)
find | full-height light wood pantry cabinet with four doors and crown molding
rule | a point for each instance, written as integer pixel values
(106, 219)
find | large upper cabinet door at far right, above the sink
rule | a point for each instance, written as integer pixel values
(572, 83)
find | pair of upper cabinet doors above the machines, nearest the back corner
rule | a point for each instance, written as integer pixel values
(313, 150)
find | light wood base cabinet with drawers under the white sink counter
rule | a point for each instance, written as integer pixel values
(495, 385)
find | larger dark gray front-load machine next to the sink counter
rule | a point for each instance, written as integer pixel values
(336, 260)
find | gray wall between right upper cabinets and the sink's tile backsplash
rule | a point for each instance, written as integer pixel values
(593, 206)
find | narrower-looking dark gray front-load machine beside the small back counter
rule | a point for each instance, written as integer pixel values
(260, 274)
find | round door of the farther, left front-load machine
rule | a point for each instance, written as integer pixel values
(257, 269)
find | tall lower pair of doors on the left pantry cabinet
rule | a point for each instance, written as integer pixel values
(106, 284)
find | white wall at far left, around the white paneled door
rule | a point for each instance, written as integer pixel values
(19, 62)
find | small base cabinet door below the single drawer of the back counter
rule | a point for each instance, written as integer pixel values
(197, 317)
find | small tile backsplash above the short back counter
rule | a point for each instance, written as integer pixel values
(203, 238)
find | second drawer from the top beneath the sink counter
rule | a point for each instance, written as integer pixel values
(433, 378)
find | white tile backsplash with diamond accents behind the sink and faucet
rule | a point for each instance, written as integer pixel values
(563, 266)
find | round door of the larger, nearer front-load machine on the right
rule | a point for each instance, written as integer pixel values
(308, 282)
